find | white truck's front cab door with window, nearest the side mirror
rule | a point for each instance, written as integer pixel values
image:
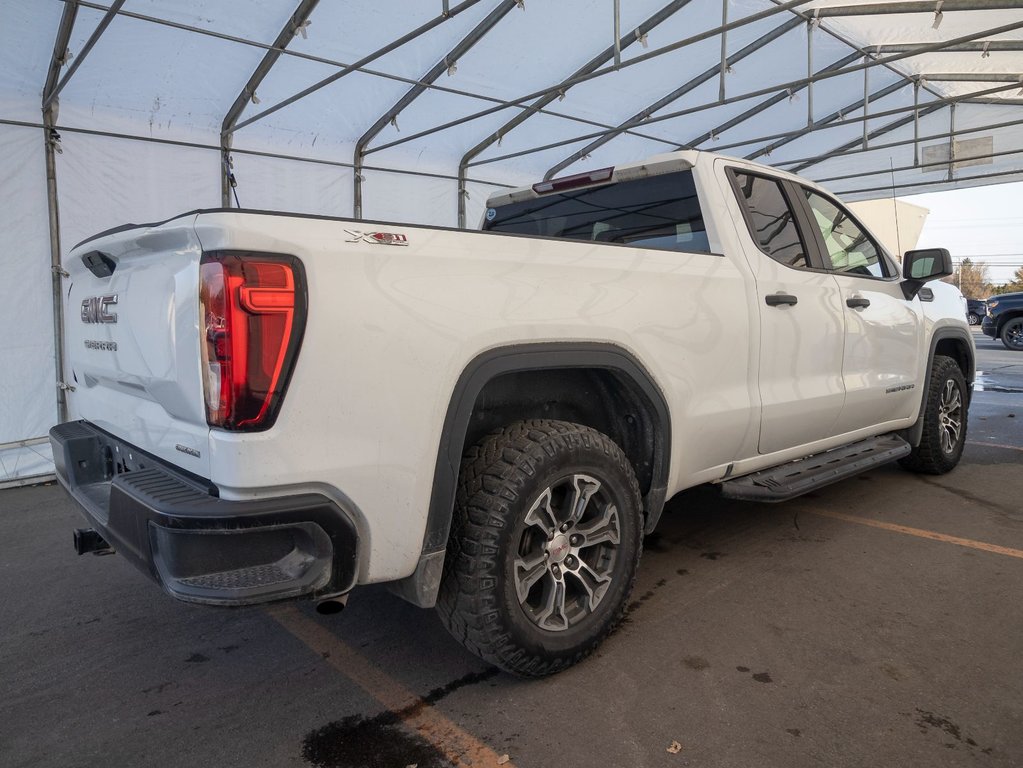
(884, 343)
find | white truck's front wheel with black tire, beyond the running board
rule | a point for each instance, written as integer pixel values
(945, 421)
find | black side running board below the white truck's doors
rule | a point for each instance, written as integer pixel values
(796, 478)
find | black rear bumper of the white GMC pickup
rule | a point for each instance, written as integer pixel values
(200, 548)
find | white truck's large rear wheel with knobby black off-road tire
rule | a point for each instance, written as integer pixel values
(541, 471)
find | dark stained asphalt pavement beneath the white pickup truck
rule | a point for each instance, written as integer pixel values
(874, 623)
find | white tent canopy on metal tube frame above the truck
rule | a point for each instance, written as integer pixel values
(418, 110)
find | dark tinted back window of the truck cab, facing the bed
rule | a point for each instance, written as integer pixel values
(657, 212)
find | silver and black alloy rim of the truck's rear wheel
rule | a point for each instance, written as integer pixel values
(567, 553)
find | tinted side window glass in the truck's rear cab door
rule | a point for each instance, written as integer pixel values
(772, 222)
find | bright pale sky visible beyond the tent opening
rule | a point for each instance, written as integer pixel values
(983, 223)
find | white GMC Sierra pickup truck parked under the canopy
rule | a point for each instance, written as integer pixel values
(277, 406)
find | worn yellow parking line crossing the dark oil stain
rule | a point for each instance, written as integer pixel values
(457, 744)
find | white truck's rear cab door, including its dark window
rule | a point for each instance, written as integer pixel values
(803, 319)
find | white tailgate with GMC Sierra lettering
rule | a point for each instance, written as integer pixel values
(132, 330)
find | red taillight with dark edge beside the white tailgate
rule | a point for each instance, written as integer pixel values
(253, 315)
